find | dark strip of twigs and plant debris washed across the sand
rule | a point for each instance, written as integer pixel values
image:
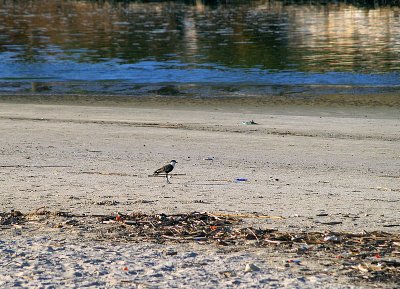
(373, 256)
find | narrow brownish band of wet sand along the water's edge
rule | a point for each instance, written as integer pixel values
(380, 105)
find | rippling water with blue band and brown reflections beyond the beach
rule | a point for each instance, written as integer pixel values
(198, 49)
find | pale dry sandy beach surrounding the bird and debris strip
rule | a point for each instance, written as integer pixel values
(310, 168)
